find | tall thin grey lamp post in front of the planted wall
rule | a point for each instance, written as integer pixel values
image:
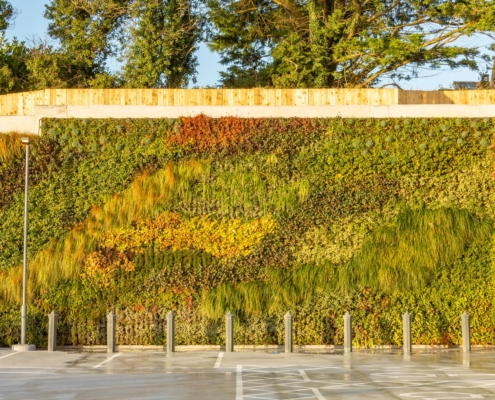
(23, 346)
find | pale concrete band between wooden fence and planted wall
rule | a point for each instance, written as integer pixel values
(31, 123)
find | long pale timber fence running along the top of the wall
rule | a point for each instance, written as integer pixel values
(22, 104)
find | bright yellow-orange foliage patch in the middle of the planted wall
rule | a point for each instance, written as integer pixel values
(220, 238)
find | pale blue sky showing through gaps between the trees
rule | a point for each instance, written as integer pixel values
(30, 22)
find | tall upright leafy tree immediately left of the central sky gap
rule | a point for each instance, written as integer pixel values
(162, 45)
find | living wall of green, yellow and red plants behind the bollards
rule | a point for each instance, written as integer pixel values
(256, 216)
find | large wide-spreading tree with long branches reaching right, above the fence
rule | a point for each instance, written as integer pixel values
(343, 43)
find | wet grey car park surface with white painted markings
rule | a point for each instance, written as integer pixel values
(439, 374)
